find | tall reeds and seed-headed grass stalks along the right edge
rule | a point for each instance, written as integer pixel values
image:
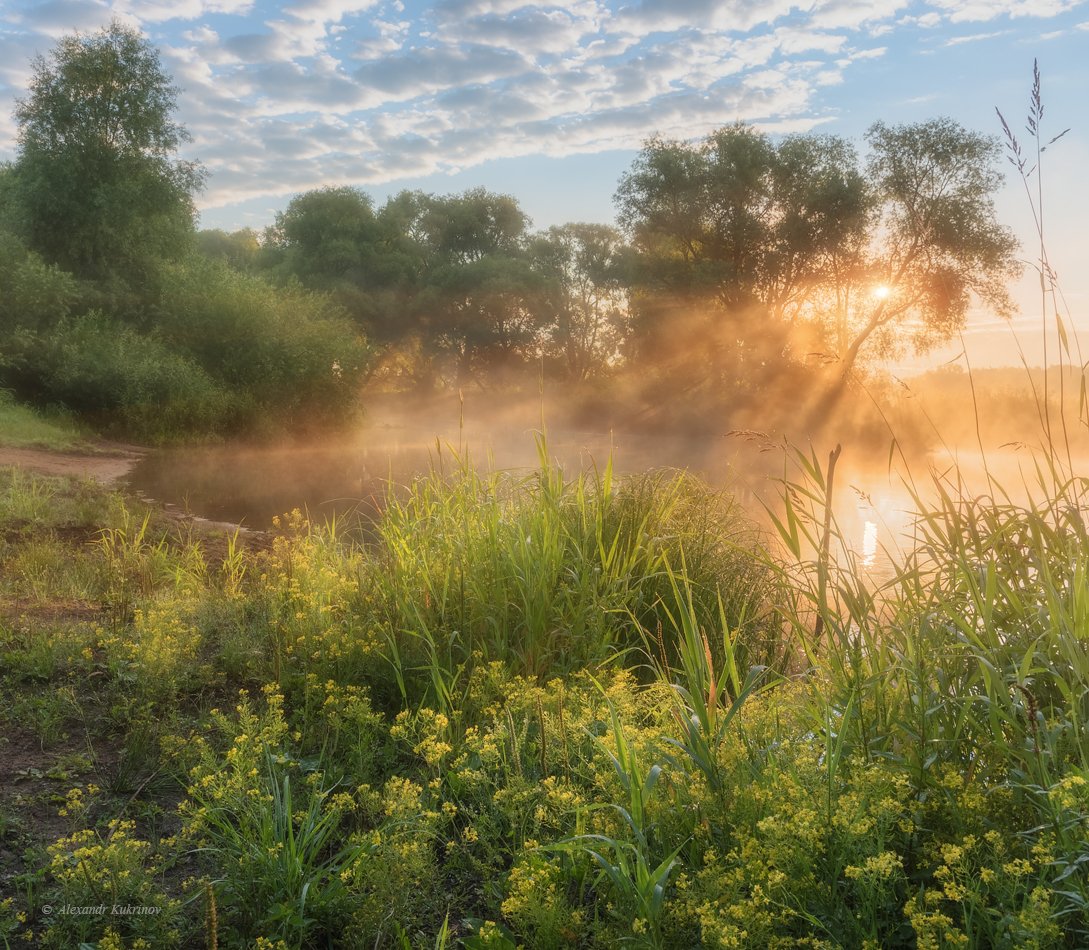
(972, 661)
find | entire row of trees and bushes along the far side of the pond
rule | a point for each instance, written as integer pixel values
(739, 262)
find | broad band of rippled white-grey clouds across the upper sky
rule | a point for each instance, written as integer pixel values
(285, 96)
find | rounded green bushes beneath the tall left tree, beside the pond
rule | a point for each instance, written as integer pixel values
(225, 352)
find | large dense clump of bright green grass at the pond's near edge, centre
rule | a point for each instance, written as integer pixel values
(550, 574)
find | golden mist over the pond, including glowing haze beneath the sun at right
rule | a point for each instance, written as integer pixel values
(977, 454)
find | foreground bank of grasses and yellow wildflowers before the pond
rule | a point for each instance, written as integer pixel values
(547, 711)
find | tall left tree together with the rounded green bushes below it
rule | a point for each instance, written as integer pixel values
(152, 344)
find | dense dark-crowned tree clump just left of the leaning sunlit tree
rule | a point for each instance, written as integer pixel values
(733, 234)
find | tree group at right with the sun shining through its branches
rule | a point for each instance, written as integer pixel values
(796, 248)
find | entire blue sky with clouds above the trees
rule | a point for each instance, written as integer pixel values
(552, 103)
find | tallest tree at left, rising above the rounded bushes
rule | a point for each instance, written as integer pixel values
(101, 192)
